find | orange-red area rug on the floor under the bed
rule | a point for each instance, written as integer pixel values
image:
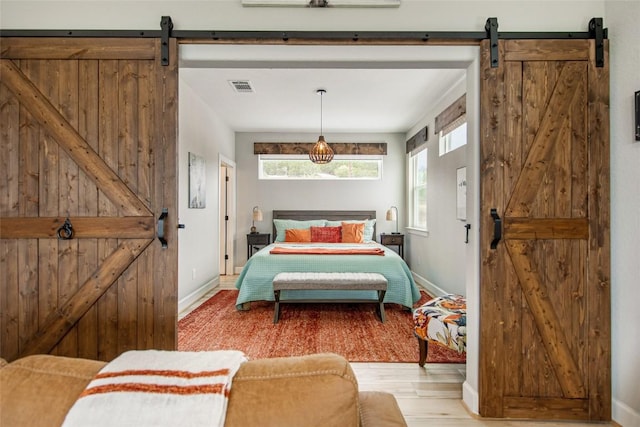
(351, 330)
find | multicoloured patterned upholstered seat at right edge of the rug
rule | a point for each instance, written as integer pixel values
(441, 321)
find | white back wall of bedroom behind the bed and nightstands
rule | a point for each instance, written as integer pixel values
(376, 195)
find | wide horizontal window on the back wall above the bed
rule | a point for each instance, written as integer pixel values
(288, 167)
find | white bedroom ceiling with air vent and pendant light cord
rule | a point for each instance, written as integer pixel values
(367, 91)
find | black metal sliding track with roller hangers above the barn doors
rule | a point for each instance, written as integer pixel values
(595, 31)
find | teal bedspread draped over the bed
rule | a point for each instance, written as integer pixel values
(255, 280)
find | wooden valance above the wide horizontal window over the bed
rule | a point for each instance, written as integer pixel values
(339, 148)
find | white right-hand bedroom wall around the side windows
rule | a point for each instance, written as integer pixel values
(436, 256)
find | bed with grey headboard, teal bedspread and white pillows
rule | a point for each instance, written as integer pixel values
(255, 280)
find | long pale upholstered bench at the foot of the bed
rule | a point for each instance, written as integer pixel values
(329, 281)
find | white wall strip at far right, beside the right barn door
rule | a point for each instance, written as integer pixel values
(622, 18)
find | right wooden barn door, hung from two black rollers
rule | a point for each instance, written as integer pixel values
(544, 297)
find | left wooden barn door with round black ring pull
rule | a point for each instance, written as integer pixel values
(88, 134)
